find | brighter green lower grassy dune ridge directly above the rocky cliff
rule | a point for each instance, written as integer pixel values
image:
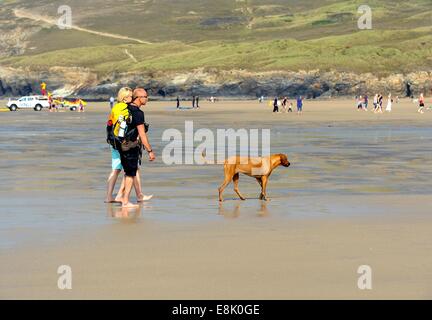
(371, 51)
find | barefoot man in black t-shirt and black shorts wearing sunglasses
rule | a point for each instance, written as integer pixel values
(131, 157)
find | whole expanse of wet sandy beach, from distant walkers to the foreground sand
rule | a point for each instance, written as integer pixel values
(357, 193)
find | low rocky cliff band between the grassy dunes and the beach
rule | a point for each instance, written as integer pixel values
(312, 84)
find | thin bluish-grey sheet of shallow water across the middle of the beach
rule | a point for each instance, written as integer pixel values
(54, 168)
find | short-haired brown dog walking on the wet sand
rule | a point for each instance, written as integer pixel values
(260, 168)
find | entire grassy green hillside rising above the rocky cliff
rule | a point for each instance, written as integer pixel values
(255, 35)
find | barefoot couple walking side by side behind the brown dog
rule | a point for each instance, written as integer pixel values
(127, 155)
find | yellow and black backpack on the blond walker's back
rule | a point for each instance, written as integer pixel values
(117, 125)
